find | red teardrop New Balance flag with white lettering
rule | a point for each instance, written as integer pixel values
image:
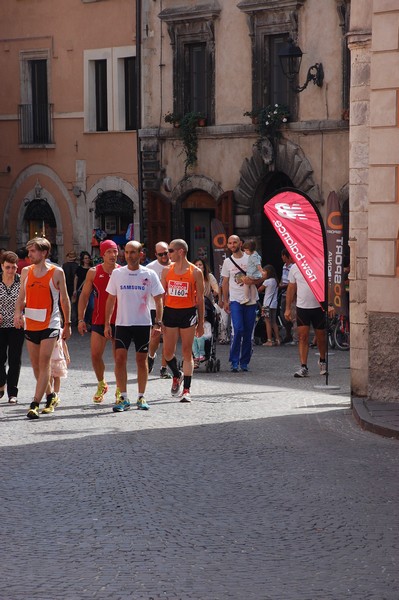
(300, 227)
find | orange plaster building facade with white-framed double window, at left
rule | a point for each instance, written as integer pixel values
(68, 122)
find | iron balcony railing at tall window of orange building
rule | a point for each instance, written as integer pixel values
(36, 124)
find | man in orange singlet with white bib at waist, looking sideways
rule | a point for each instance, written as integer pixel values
(42, 286)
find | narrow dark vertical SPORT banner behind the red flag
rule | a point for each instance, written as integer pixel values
(335, 261)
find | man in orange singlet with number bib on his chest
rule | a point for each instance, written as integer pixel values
(183, 314)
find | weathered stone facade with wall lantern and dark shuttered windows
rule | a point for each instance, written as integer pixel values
(221, 58)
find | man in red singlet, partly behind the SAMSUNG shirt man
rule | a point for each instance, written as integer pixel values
(97, 279)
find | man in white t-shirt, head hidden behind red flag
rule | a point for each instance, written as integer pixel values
(308, 312)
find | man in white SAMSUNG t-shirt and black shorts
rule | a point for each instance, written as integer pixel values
(133, 286)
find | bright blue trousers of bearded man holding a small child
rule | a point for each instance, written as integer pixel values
(243, 322)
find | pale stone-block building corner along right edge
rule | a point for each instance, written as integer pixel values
(374, 195)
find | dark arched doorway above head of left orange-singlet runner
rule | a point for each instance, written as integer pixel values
(40, 222)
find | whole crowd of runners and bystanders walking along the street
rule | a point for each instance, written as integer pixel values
(126, 298)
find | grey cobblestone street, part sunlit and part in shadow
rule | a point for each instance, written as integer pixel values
(263, 488)
